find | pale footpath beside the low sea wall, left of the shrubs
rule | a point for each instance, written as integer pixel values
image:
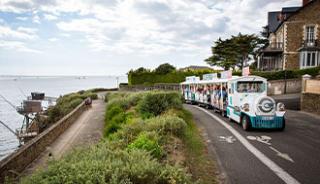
(85, 131)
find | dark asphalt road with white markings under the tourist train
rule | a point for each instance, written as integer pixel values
(291, 156)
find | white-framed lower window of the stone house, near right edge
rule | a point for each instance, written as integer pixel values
(309, 59)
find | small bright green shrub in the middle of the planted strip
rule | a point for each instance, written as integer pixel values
(147, 141)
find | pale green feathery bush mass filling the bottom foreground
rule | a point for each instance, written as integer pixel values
(100, 164)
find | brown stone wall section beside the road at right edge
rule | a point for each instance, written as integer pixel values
(310, 103)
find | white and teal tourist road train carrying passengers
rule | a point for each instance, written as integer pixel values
(242, 99)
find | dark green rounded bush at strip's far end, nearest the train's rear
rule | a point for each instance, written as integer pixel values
(154, 103)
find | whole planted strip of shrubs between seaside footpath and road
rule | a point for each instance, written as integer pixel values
(148, 138)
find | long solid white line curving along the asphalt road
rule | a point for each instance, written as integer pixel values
(282, 174)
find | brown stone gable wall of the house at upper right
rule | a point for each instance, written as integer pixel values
(295, 32)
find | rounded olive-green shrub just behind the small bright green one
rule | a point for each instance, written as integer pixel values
(167, 124)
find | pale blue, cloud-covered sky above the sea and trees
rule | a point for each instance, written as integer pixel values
(110, 37)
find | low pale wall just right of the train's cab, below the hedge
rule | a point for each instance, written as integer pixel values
(276, 87)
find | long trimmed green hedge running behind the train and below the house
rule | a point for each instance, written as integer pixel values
(150, 78)
